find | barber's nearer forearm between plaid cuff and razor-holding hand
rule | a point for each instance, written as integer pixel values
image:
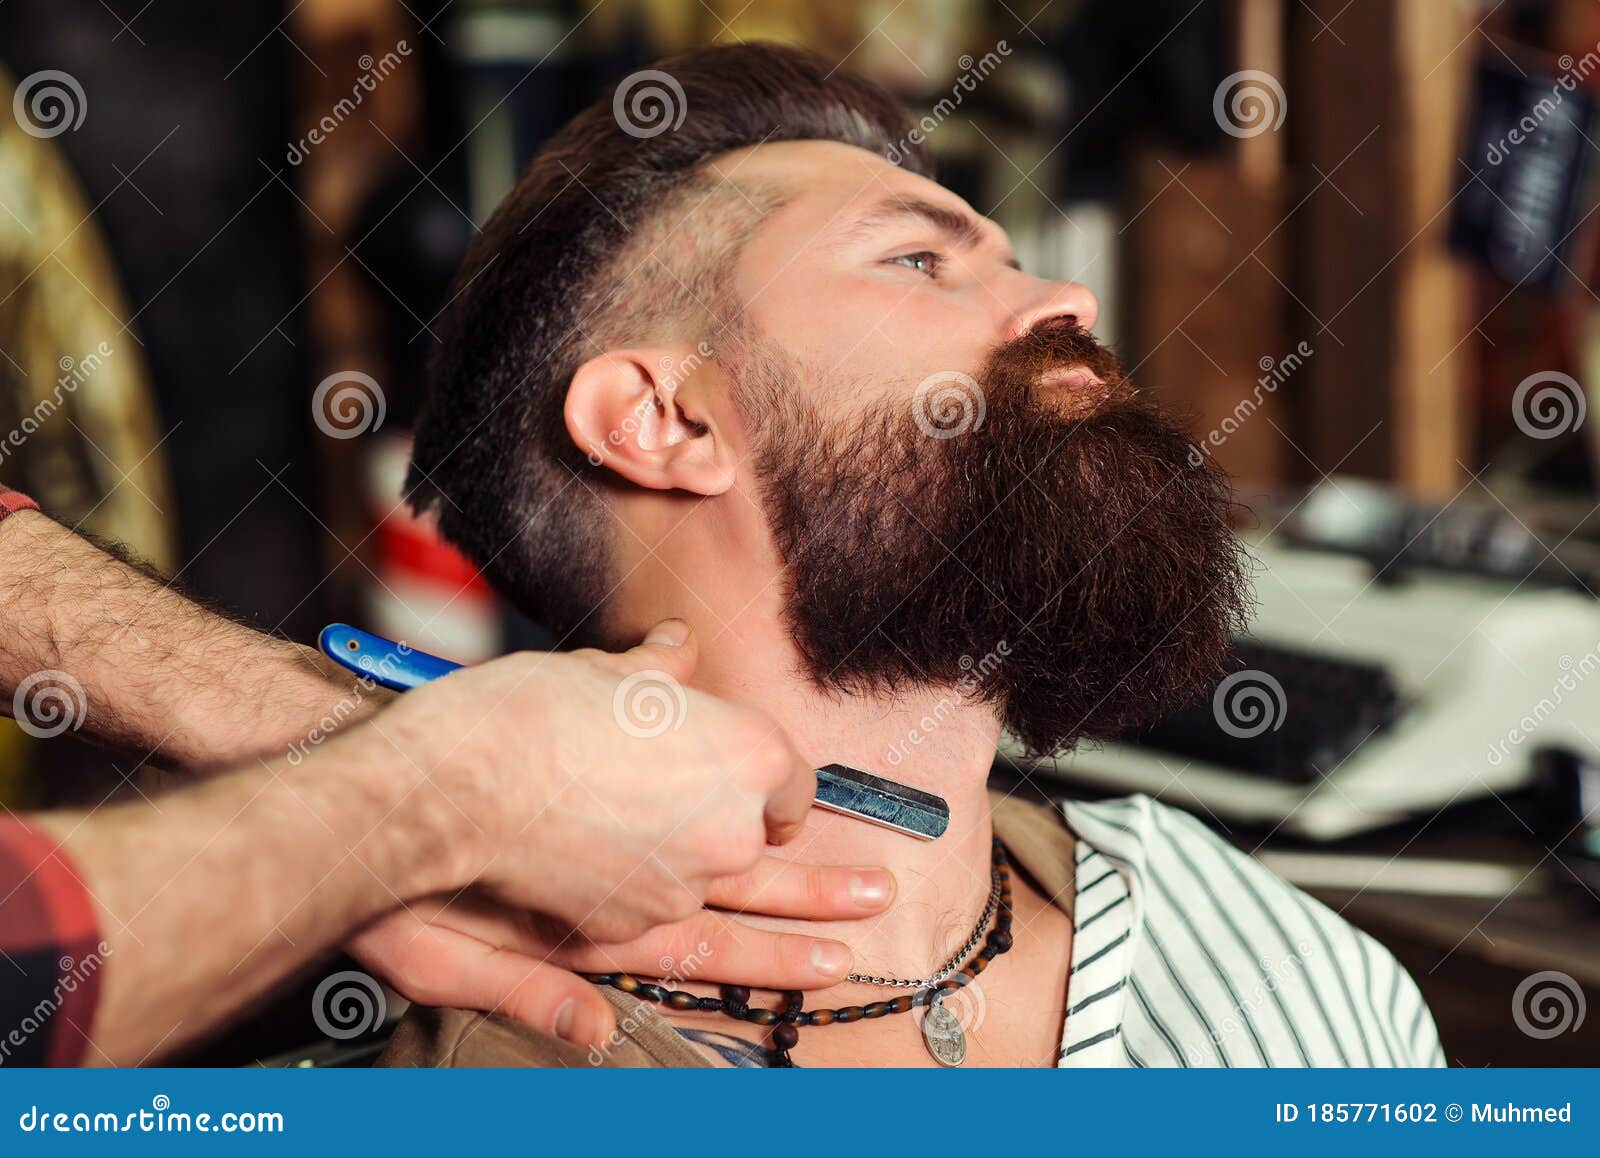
(215, 893)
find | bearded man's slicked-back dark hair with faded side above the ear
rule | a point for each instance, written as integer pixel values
(548, 286)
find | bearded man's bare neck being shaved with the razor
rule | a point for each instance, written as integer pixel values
(679, 564)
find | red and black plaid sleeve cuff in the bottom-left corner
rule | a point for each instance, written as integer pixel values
(50, 952)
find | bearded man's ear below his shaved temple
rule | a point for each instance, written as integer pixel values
(646, 415)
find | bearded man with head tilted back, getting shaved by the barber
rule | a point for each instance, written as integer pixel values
(737, 367)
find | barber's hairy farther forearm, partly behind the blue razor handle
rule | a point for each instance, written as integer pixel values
(161, 674)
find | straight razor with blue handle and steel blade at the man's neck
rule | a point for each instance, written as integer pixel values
(839, 788)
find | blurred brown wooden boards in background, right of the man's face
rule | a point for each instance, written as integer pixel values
(1327, 231)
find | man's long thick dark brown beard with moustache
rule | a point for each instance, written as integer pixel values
(1062, 561)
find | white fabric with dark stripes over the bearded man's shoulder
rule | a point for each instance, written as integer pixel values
(1188, 952)
